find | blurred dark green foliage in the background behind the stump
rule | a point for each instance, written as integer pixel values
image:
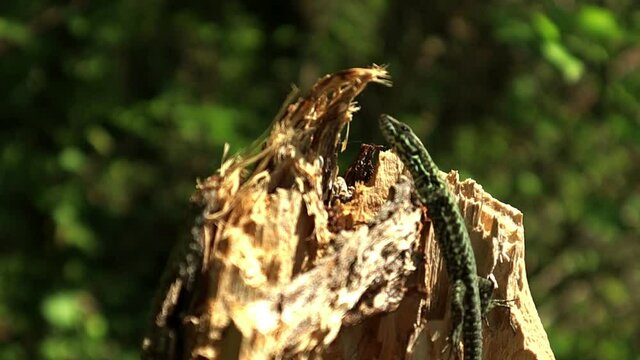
(111, 110)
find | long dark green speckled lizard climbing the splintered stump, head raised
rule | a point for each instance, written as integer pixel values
(471, 294)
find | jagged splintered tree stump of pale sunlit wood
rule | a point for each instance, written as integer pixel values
(300, 264)
